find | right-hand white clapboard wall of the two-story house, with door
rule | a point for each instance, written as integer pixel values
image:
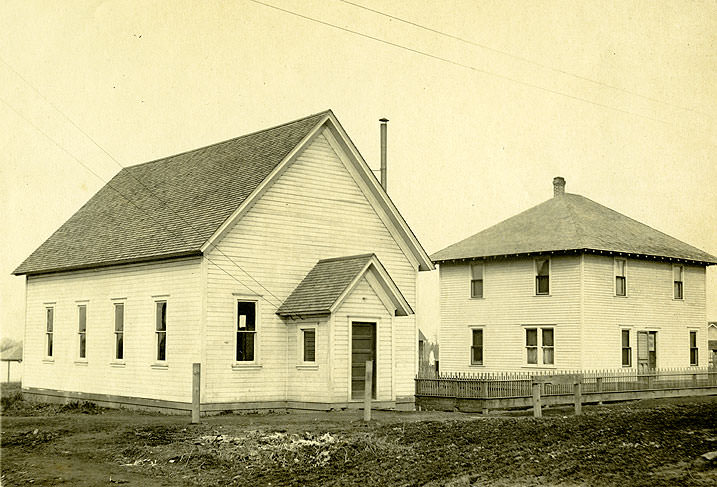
(649, 305)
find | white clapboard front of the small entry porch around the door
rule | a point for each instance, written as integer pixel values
(362, 305)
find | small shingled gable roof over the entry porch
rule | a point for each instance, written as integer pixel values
(331, 280)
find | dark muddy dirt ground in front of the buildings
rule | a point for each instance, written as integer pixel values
(639, 443)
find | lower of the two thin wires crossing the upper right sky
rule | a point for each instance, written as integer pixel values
(462, 65)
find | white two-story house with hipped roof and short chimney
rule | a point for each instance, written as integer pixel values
(570, 284)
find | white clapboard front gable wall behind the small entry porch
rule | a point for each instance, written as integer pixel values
(315, 210)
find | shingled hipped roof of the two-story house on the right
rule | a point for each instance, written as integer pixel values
(570, 222)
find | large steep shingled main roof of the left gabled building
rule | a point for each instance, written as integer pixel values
(176, 206)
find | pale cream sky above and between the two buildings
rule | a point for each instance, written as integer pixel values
(487, 101)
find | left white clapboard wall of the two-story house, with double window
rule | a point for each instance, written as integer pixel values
(509, 303)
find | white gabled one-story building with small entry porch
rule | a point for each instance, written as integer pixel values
(275, 260)
